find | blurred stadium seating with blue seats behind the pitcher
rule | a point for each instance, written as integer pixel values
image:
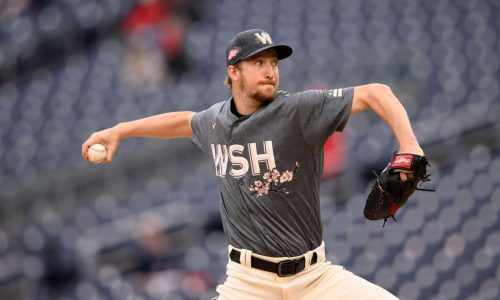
(147, 226)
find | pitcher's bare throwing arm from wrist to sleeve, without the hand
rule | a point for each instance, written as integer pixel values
(164, 126)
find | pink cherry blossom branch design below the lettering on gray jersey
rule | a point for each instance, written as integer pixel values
(273, 181)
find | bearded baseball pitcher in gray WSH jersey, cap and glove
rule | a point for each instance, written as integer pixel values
(266, 146)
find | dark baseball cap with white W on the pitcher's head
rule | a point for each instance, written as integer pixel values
(251, 42)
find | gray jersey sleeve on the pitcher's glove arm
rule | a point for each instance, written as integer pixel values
(322, 112)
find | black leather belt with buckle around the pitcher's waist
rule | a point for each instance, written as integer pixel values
(283, 268)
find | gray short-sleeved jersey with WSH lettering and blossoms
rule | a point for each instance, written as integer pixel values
(269, 166)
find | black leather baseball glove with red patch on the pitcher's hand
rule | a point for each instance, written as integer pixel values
(389, 192)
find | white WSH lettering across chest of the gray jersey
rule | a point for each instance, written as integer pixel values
(240, 165)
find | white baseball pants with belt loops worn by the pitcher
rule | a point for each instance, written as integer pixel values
(320, 281)
